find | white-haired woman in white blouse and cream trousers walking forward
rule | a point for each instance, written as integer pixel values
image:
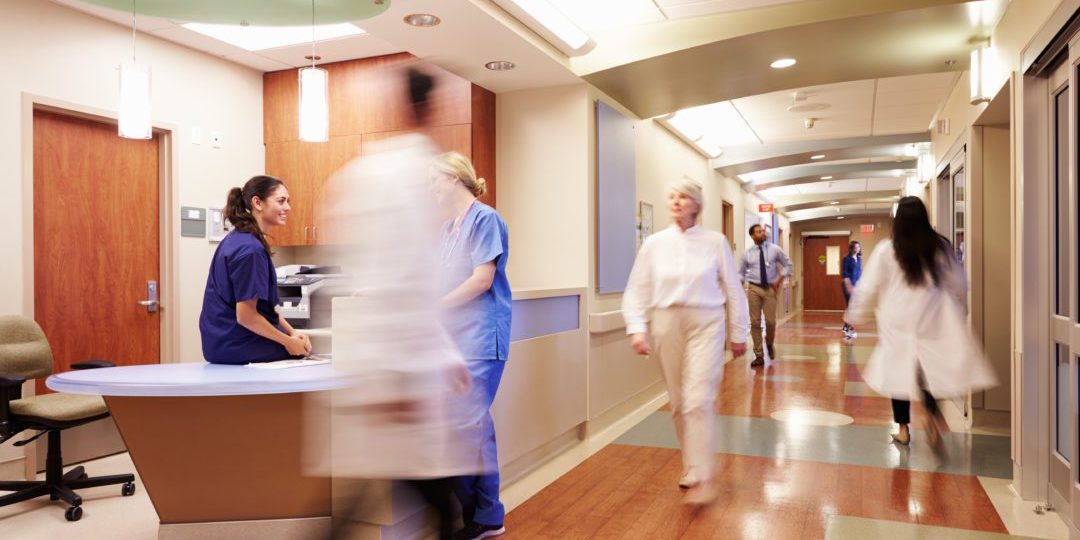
(685, 277)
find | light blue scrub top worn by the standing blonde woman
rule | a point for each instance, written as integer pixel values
(481, 329)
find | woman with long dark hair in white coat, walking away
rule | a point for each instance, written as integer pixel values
(916, 290)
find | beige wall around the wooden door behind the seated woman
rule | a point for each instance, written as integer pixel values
(64, 56)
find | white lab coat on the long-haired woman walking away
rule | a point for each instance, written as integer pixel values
(919, 328)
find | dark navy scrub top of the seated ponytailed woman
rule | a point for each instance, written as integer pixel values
(241, 271)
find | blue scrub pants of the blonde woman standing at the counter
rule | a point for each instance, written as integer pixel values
(480, 495)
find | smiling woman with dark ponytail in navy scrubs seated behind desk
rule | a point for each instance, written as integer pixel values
(239, 321)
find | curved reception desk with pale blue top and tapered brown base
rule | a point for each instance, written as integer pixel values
(215, 444)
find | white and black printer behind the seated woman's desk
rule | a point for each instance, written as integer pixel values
(305, 292)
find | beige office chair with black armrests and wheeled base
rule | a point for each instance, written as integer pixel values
(25, 355)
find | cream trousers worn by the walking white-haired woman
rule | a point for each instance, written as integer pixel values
(690, 343)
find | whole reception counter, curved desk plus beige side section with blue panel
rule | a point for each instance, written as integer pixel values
(221, 450)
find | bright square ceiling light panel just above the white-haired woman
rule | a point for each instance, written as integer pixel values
(713, 127)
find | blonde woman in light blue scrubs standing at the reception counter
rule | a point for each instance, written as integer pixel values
(478, 304)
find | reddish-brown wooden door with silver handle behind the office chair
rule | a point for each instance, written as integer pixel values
(97, 241)
